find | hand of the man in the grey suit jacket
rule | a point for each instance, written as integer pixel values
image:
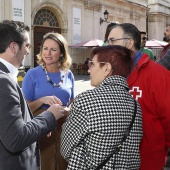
(56, 110)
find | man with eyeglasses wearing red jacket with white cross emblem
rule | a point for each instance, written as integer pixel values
(144, 82)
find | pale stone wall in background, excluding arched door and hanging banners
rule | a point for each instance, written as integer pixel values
(134, 11)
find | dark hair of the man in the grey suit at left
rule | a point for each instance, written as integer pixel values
(12, 31)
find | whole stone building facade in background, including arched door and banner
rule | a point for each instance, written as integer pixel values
(79, 20)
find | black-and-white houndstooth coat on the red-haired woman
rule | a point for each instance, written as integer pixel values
(97, 122)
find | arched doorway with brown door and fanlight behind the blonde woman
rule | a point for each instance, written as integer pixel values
(45, 21)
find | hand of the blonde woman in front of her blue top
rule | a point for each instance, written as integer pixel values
(50, 100)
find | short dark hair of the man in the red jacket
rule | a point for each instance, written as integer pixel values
(132, 32)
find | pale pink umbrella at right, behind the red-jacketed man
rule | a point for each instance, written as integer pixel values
(155, 43)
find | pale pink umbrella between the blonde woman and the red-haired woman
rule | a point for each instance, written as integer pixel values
(90, 43)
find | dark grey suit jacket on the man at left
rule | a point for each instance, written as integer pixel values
(18, 130)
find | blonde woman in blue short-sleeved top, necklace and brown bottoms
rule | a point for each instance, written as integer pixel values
(49, 83)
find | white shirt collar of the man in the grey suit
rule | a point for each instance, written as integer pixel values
(12, 69)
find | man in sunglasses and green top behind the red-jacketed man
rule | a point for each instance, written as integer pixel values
(143, 48)
